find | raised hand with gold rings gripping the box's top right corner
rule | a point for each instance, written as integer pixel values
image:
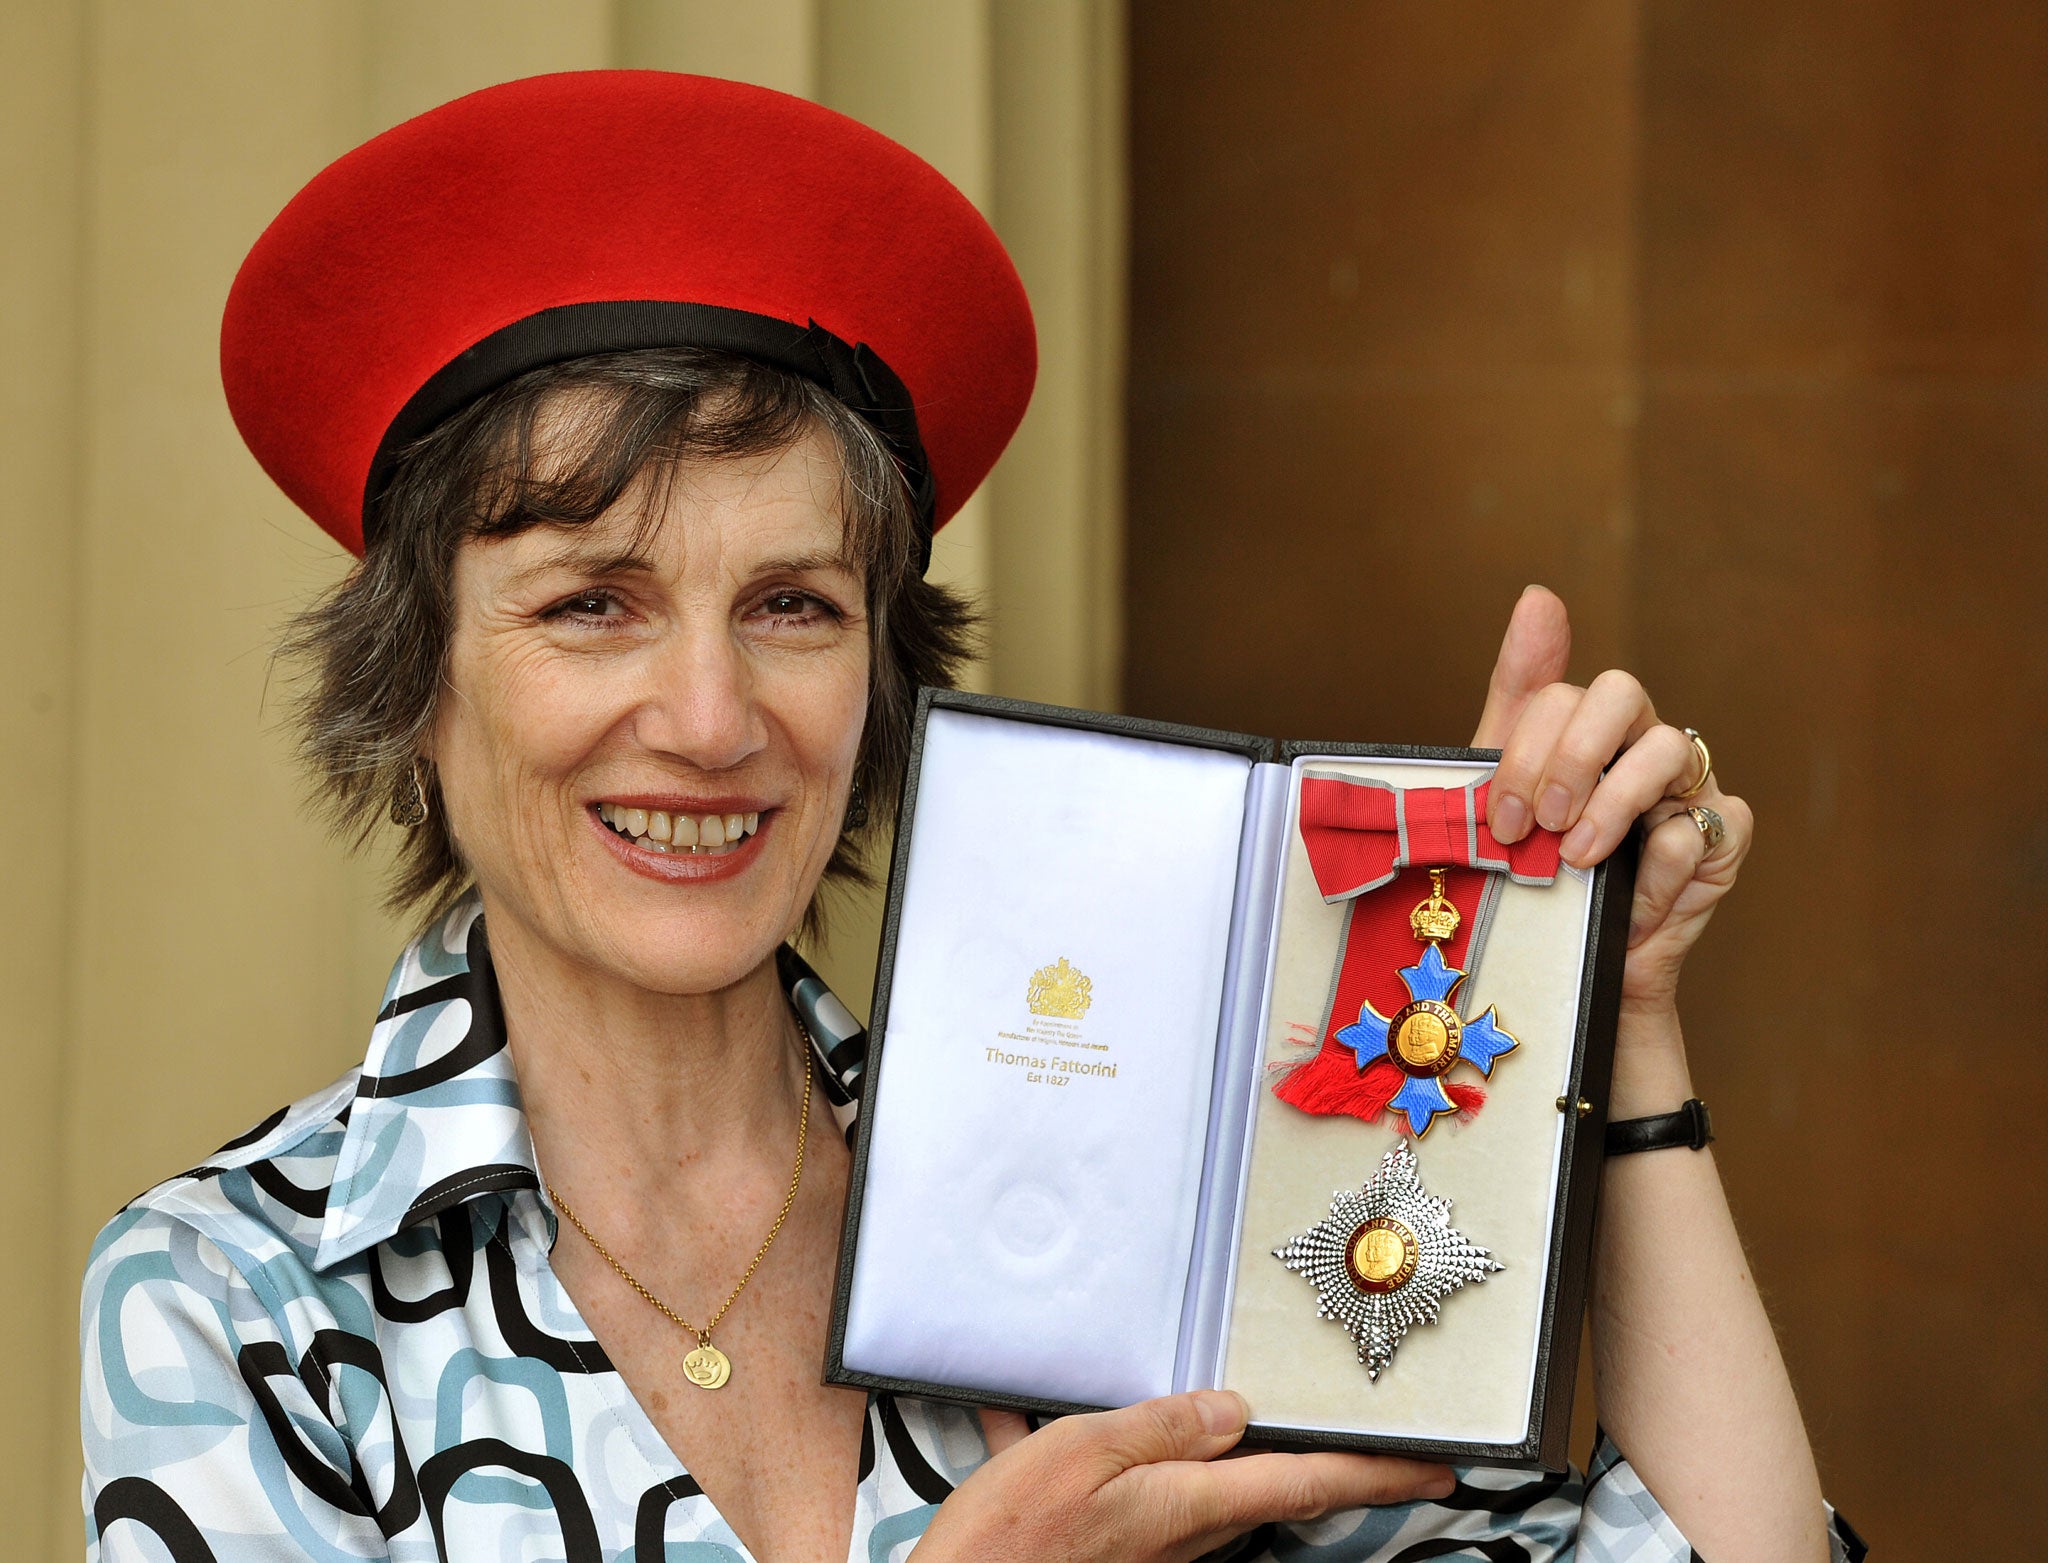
(1558, 743)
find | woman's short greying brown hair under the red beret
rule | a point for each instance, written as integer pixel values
(372, 652)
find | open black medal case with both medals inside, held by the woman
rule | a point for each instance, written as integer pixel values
(1203, 1062)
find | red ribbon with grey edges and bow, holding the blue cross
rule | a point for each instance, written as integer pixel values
(1361, 837)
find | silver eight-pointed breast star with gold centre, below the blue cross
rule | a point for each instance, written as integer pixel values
(1385, 1259)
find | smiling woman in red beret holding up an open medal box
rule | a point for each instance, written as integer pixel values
(640, 398)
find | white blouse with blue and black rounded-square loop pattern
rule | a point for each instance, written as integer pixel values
(341, 1339)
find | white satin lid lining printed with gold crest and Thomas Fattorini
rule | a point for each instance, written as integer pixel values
(1043, 1091)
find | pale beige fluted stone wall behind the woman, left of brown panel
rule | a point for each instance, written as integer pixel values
(179, 947)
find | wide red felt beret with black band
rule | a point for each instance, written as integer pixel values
(607, 210)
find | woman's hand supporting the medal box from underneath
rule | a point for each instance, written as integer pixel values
(1146, 1486)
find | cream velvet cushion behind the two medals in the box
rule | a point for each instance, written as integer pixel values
(1471, 1374)
